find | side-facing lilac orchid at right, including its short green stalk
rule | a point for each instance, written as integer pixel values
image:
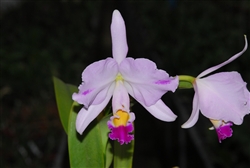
(222, 97)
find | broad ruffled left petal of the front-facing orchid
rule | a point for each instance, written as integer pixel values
(97, 78)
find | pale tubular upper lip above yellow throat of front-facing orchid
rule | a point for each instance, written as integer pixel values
(120, 100)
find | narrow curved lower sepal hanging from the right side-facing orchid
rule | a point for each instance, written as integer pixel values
(195, 113)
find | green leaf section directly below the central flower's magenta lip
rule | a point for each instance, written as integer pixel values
(123, 154)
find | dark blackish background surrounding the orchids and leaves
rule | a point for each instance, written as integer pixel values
(41, 39)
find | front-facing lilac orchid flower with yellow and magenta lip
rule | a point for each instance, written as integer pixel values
(120, 77)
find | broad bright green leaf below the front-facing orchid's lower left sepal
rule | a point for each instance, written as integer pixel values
(88, 149)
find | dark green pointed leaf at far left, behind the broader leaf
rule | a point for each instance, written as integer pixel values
(64, 100)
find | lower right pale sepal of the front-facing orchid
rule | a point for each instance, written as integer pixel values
(160, 111)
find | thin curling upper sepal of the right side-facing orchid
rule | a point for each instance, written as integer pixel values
(224, 63)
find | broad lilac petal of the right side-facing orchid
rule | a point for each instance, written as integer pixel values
(222, 96)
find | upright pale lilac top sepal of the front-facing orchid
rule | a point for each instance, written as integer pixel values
(118, 34)
